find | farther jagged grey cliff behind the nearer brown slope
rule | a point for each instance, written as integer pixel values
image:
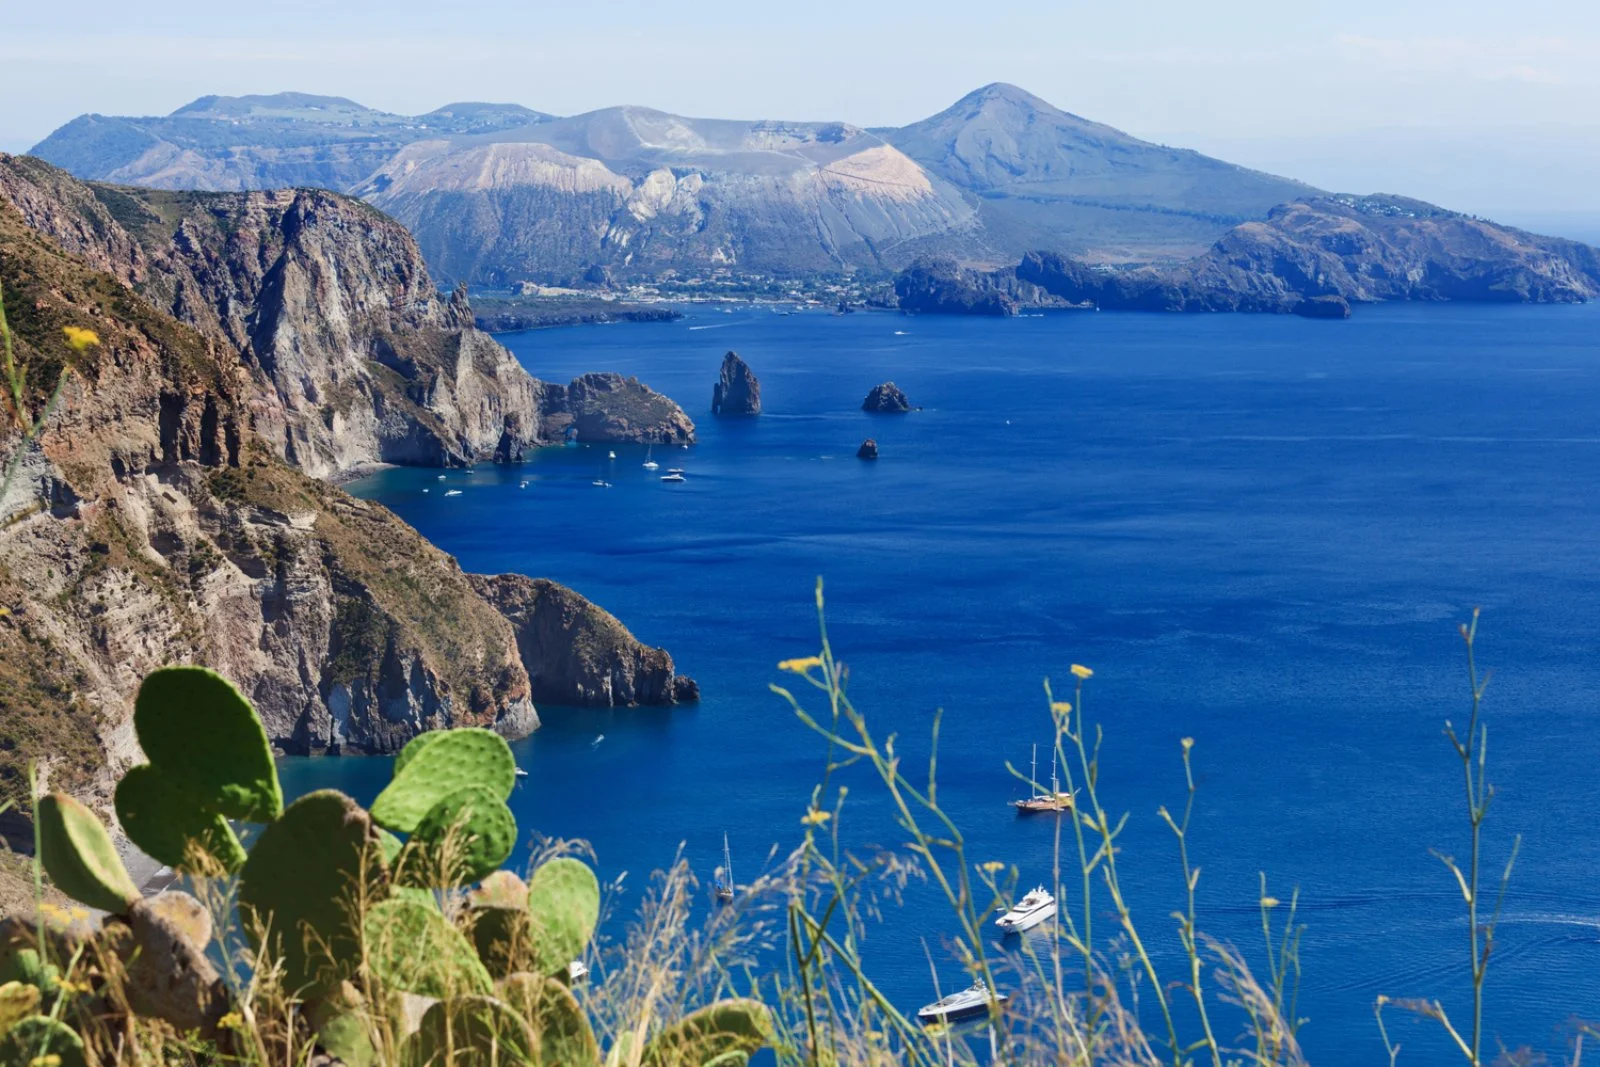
(332, 303)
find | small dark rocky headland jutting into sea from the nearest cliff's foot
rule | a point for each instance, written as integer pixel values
(578, 653)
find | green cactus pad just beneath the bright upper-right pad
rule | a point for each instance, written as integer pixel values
(462, 839)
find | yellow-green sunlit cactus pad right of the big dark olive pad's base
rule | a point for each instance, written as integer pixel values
(414, 948)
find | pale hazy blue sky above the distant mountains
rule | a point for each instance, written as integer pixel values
(1484, 106)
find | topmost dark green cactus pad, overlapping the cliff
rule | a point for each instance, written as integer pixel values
(209, 740)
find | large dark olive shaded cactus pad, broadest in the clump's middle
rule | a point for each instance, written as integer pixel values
(303, 877)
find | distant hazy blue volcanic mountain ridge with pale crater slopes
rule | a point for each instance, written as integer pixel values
(500, 194)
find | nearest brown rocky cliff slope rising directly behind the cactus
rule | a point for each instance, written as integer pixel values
(156, 524)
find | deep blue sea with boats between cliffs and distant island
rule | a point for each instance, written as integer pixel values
(1260, 532)
